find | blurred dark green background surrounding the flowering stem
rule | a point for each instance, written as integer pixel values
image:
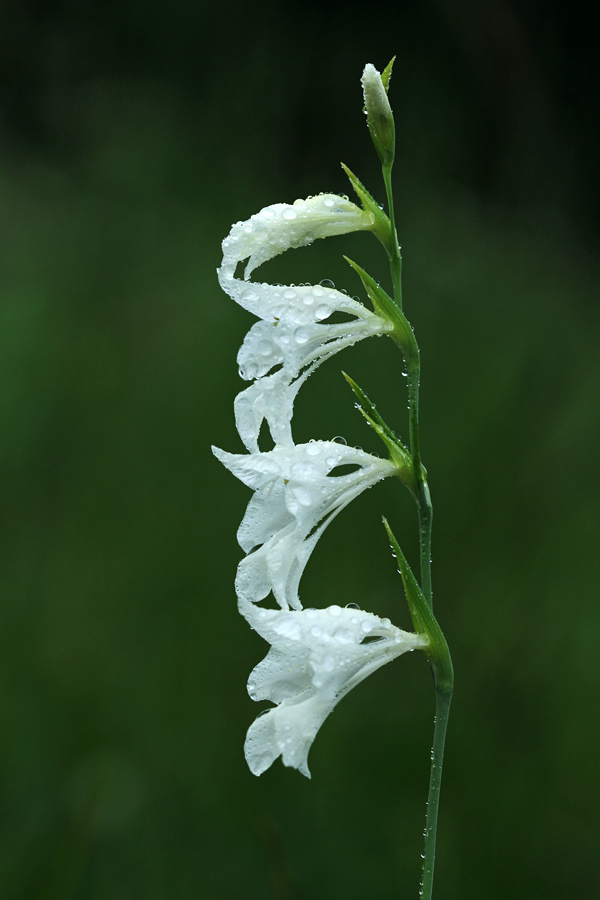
(132, 135)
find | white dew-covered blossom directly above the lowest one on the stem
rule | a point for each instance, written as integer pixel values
(297, 494)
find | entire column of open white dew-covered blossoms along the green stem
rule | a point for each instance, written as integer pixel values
(316, 656)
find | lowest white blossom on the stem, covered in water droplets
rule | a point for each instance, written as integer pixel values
(316, 657)
